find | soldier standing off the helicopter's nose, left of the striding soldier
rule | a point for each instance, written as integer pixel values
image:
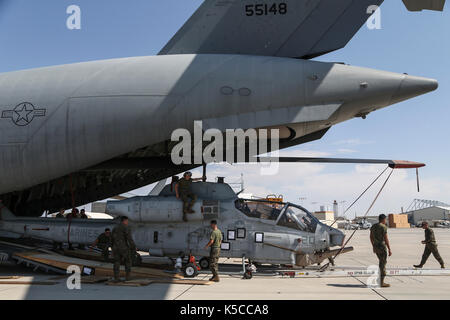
(381, 246)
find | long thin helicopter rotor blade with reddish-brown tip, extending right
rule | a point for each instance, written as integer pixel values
(394, 164)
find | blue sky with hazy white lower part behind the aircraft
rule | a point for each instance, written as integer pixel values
(34, 34)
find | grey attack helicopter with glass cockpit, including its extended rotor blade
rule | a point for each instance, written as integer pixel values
(260, 231)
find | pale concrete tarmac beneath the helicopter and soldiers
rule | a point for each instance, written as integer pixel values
(406, 247)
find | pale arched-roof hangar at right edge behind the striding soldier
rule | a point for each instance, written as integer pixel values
(427, 210)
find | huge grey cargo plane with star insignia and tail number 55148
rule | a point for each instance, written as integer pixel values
(74, 134)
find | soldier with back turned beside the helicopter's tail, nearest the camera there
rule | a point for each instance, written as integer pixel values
(122, 247)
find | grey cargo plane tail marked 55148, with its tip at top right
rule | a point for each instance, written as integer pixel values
(281, 28)
